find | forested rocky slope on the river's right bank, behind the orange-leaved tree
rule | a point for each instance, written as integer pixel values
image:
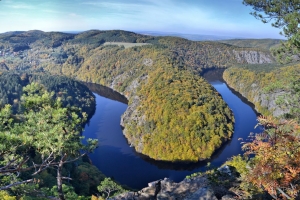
(273, 89)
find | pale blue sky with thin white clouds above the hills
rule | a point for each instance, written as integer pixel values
(204, 17)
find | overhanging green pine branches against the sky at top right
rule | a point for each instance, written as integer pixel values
(284, 14)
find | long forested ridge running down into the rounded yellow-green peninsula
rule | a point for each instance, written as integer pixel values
(173, 113)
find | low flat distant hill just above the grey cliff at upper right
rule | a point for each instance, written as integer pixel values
(253, 43)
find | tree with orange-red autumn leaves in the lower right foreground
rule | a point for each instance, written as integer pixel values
(275, 167)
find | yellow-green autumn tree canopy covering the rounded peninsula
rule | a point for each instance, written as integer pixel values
(185, 120)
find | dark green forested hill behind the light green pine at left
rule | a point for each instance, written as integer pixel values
(72, 93)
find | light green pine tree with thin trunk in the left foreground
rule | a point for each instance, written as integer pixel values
(44, 135)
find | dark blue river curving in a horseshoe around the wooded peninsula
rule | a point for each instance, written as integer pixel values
(115, 158)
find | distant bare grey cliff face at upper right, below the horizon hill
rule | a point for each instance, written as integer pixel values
(252, 57)
